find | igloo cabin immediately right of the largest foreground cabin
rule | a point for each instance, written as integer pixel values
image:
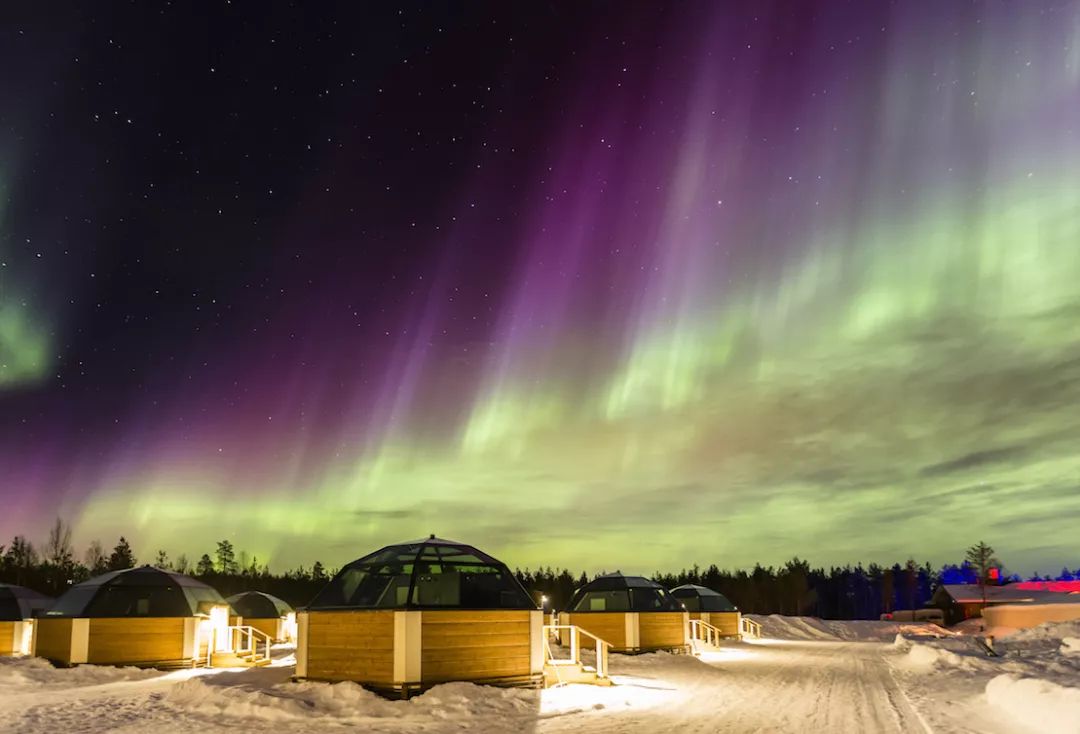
(632, 614)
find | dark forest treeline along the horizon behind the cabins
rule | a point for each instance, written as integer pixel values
(842, 593)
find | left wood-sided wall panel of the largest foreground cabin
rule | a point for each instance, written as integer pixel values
(357, 646)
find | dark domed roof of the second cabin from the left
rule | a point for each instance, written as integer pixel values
(140, 592)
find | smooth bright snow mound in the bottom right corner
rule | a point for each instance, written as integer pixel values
(1042, 705)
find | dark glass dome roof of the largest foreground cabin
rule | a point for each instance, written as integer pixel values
(431, 574)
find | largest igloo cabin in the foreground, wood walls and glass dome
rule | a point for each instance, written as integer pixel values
(420, 614)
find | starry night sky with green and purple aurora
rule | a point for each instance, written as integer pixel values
(604, 286)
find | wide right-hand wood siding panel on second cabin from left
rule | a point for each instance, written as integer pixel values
(120, 641)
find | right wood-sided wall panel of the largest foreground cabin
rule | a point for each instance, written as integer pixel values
(475, 646)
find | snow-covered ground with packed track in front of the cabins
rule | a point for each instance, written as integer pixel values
(809, 676)
